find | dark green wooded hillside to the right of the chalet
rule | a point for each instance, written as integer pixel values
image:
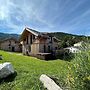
(69, 39)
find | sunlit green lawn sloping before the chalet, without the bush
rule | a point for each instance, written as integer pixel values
(29, 70)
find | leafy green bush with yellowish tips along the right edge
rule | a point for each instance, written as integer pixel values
(79, 70)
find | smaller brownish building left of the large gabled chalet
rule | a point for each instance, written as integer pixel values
(10, 44)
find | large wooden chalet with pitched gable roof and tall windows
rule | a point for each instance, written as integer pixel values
(34, 42)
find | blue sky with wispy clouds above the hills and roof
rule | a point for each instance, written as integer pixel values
(69, 16)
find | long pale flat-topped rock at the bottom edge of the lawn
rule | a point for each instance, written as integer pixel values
(49, 83)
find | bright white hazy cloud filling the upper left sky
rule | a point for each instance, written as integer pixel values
(23, 12)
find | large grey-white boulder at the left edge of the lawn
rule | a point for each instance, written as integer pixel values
(6, 69)
